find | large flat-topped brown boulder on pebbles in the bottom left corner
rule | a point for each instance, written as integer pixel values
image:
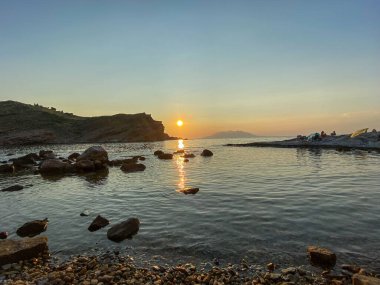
(12, 251)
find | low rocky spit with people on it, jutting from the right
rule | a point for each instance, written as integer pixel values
(366, 141)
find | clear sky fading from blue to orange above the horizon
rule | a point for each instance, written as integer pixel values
(268, 67)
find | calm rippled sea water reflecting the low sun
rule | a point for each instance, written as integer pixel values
(262, 204)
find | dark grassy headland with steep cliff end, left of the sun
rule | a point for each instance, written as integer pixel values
(23, 124)
